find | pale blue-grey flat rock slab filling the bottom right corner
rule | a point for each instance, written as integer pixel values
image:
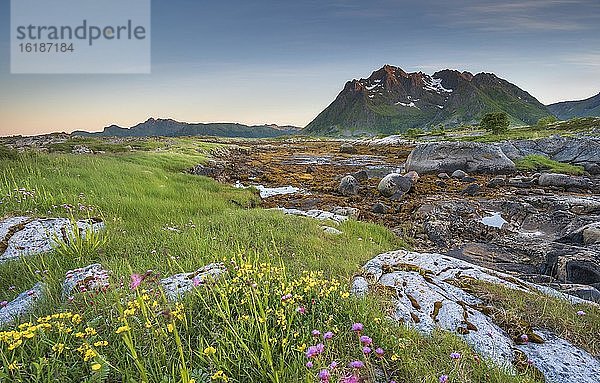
(560, 361)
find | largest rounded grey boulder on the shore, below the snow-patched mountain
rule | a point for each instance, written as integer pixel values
(447, 157)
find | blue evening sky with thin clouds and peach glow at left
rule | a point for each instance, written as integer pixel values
(283, 62)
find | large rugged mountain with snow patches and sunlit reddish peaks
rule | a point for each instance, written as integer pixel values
(392, 100)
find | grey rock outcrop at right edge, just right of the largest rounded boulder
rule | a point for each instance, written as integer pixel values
(577, 151)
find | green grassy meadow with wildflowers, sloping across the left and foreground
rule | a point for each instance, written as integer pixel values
(142, 196)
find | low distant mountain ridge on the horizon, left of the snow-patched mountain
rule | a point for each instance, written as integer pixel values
(172, 128)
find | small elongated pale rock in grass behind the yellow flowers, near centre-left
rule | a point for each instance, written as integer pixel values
(177, 285)
